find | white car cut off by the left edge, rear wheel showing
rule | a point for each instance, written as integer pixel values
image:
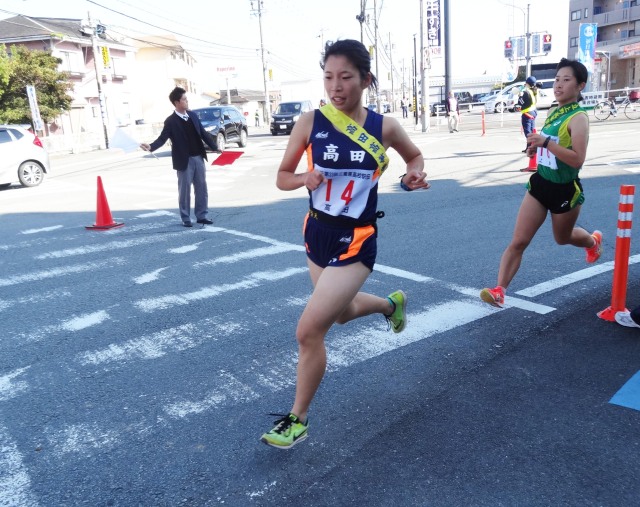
(22, 157)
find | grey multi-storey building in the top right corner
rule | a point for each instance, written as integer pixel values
(617, 62)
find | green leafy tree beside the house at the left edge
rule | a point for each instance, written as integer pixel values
(37, 68)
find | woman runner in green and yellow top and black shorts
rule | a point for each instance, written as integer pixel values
(561, 148)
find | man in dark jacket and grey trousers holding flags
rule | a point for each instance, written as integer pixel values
(188, 155)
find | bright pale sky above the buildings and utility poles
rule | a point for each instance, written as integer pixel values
(223, 34)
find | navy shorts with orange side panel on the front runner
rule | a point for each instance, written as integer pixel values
(331, 245)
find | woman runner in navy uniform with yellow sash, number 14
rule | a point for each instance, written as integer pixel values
(345, 145)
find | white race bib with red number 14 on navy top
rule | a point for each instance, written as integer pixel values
(345, 193)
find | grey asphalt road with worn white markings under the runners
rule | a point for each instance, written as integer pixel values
(138, 365)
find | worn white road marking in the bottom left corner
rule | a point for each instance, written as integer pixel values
(15, 483)
